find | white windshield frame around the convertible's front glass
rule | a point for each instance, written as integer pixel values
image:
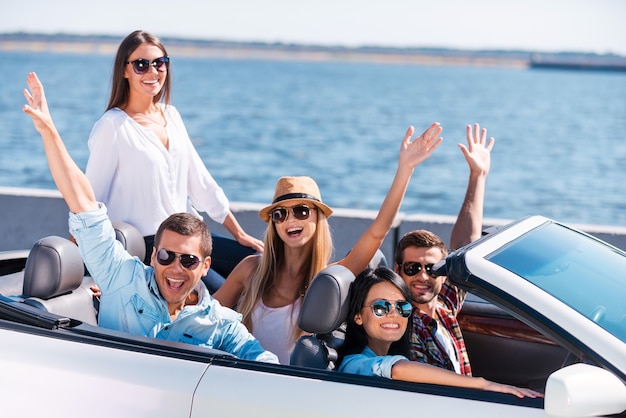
(470, 269)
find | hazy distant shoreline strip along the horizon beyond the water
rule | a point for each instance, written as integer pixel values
(107, 45)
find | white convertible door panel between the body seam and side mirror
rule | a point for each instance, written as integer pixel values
(247, 389)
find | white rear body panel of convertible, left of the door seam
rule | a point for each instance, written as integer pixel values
(52, 373)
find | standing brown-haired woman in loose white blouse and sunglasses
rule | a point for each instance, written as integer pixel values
(142, 163)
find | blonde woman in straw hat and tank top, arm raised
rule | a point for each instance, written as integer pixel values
(268, 288)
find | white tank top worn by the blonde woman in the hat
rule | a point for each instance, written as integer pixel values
(273, 327)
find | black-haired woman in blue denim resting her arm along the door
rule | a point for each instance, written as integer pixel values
(377, 337)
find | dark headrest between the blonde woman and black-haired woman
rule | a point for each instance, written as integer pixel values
(325, 305)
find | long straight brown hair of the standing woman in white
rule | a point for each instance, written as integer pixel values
(120, 89)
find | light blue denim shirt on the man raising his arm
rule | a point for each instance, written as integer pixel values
(131, 300)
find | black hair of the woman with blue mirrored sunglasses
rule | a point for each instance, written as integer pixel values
(356, 338)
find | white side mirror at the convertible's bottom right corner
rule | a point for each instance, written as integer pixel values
(582, 390)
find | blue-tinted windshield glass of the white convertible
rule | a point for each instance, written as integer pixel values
(582, 272)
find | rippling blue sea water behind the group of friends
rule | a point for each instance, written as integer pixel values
(560, 135)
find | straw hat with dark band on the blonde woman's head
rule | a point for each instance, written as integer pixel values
(295, 188)
